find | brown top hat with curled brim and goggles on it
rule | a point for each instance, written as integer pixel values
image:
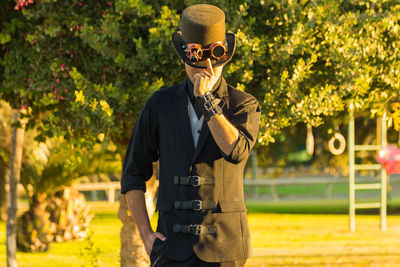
(203, 25)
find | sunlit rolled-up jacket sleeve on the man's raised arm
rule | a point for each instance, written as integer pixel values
(246, 119)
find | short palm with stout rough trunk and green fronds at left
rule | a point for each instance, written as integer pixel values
(56, 212)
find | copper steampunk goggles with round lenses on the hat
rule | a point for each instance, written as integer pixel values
(195, 52)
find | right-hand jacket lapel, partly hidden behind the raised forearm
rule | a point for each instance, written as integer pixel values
(222, 93)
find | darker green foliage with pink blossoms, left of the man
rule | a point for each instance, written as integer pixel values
(91, 66)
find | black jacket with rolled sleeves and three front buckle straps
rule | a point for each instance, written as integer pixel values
(163, 132)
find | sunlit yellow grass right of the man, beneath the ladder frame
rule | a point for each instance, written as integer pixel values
(296, 239)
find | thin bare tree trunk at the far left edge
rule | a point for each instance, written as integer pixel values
(15, 171)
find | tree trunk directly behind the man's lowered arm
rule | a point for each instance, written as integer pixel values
(132, 249)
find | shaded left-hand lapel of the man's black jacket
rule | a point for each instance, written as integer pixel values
(182, 117)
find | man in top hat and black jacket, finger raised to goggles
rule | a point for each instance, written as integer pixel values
(202, 132)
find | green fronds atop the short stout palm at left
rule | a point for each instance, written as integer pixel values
(49, 166)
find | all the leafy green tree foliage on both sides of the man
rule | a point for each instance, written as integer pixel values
(84, 69)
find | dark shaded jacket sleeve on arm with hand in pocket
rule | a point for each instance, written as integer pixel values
(143, 150)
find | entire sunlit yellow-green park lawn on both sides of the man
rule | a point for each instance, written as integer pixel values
(277, 240)
